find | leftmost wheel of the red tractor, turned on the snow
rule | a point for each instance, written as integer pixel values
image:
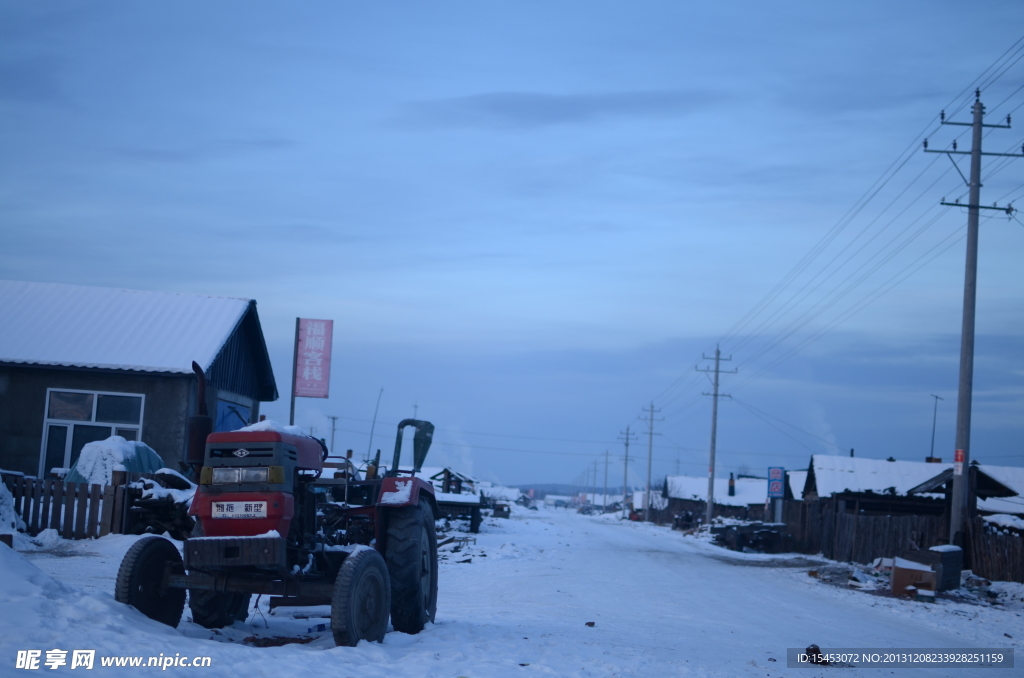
(141, 580)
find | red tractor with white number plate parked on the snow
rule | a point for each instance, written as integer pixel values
(274, 523)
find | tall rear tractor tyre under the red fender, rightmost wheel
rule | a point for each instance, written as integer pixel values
(412, 563)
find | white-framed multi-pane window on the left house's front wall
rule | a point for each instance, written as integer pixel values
(75, 418)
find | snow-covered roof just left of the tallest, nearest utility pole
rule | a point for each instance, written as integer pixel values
(836, 475)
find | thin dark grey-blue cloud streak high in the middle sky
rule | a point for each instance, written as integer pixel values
(534, 110)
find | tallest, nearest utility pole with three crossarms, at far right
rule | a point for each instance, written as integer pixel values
(962, 454)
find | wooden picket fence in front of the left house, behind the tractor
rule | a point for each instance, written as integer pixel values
(76, 511)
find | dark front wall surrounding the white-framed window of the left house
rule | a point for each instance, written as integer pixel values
(23, 409)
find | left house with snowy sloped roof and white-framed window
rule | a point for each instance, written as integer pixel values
(81, 364)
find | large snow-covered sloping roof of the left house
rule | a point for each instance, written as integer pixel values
(96, 327)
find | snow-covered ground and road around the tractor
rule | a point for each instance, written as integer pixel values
(518, 604)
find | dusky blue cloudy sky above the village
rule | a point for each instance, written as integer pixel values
(530, 222)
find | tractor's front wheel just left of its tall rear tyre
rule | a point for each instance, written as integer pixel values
(362, 600)
